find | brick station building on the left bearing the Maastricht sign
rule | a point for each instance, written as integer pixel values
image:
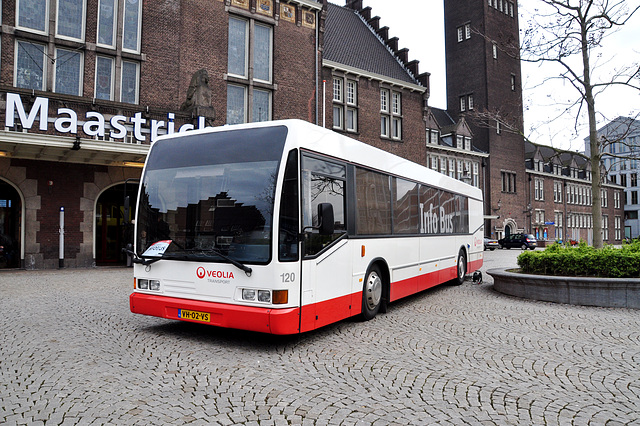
(85, 86)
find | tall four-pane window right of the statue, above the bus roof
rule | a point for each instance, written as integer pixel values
(245, 102)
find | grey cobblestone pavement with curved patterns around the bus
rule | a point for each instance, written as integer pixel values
(72, 353)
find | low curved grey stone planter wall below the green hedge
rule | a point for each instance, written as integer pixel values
(586, 291)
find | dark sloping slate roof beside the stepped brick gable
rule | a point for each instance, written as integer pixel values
(350, 41)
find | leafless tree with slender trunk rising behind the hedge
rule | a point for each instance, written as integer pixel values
(568, 33)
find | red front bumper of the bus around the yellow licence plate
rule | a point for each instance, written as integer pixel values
(264, 320)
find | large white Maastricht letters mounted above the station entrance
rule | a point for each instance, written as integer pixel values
(95, 124)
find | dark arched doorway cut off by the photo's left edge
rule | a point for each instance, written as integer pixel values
(10, 226)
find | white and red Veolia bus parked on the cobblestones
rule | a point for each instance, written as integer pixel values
(283, 227)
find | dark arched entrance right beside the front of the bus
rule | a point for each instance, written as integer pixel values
(113, 230)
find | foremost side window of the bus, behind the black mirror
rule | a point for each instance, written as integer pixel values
(322, 182)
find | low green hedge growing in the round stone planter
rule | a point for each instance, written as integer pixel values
(583, 261)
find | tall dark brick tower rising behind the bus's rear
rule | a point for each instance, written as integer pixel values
(483, 84)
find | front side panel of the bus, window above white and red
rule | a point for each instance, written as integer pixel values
(326, 259)
